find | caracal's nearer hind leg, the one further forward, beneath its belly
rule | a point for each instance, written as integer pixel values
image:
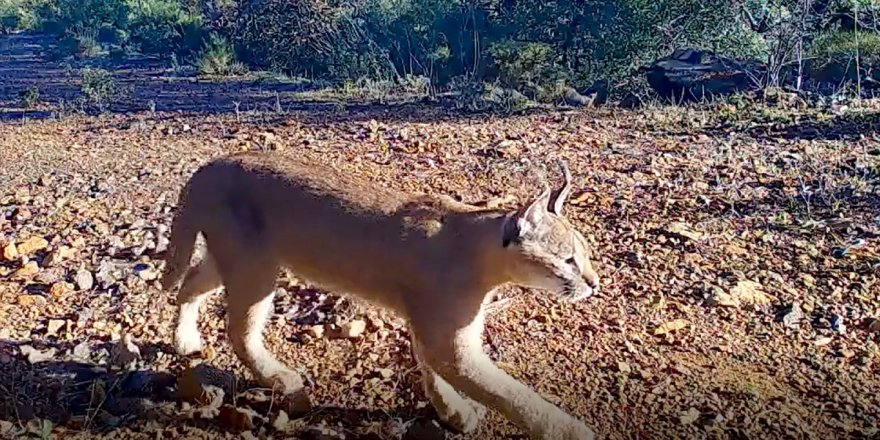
(249, 282)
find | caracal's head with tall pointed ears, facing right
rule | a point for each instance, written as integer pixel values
(545, 251)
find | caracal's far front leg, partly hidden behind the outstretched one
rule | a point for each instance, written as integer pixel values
(460, 413)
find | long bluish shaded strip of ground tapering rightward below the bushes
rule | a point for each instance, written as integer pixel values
(150, 85)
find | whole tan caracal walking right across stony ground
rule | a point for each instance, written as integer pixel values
(430, 259)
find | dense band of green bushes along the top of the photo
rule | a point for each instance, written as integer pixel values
(378, 46)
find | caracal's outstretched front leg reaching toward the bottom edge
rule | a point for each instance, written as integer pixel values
(456, 354)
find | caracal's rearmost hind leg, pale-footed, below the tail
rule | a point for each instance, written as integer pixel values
(200, 281)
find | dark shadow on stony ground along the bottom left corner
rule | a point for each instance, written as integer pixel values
(83, 396)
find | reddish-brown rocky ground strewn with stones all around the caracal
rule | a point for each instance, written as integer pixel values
(738, 248)
